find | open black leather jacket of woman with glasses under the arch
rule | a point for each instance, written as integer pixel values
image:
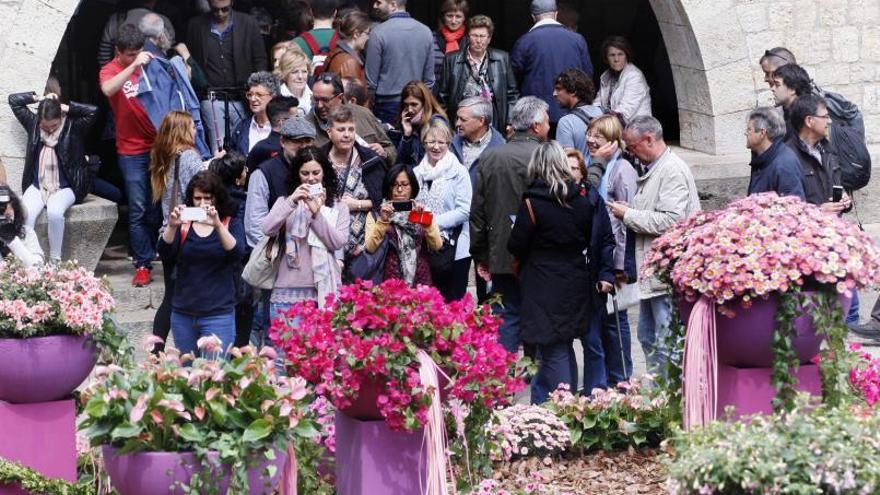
(499, 75)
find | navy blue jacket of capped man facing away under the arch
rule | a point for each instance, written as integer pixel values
(541, 54)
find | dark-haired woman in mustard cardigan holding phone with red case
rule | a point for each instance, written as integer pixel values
(409, 230)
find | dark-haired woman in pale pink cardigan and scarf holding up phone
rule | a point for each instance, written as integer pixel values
(312, 225)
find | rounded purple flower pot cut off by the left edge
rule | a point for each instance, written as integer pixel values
(43, 369)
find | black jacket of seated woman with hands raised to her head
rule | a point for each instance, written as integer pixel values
(71, 143)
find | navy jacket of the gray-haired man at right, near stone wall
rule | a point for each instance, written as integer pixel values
(777, 169)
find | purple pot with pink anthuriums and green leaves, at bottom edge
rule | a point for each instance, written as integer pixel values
(205, 427)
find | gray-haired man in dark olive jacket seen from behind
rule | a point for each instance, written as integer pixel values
(500, 183)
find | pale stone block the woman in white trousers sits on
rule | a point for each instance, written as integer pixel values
(86, 231)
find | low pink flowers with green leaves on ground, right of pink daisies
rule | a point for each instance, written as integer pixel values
(637, 413)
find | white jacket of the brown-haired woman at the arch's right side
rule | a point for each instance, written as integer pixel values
(628, 95)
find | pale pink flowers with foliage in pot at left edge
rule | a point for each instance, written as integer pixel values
(50, 300)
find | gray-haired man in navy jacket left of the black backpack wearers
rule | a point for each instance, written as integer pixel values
(774, 166)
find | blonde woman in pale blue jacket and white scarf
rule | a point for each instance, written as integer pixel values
(445, 189)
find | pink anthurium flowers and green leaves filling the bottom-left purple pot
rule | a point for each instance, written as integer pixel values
(239, 407)
